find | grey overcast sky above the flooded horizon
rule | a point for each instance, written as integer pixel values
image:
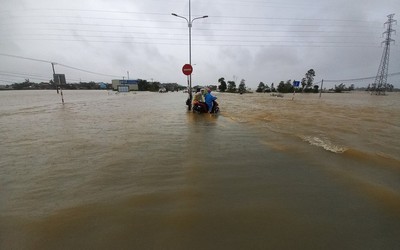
(255, 40)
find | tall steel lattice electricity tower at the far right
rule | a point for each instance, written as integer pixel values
(380, 84)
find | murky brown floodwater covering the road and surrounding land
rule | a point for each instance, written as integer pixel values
(137, 171)
